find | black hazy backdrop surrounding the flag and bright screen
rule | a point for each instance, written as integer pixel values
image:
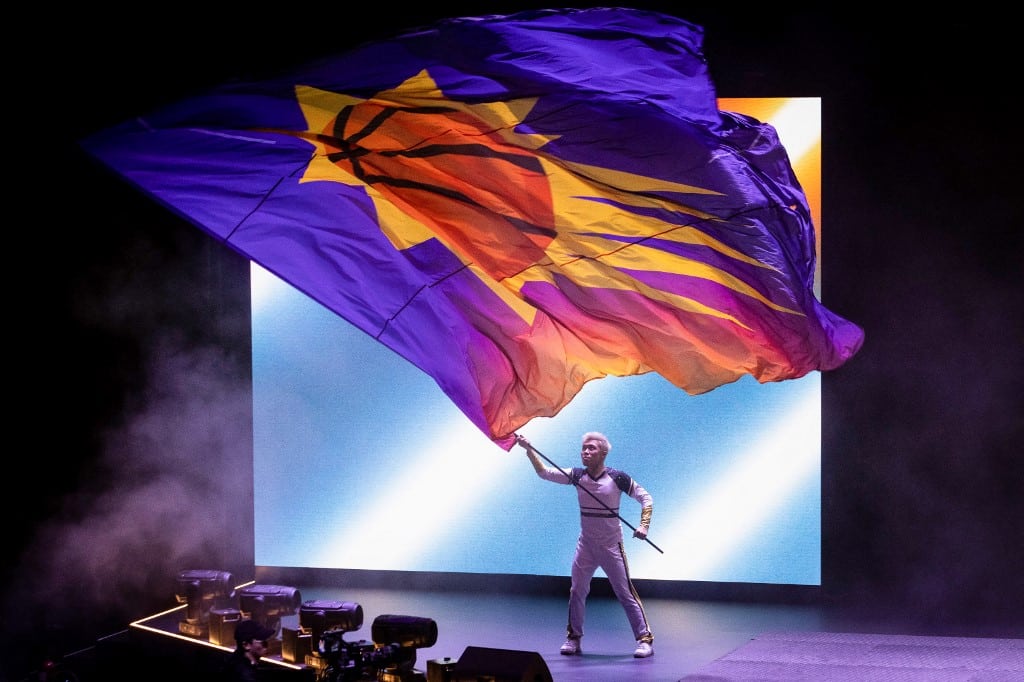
(131, 327)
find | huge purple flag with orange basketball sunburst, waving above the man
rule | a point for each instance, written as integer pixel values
(517, 205)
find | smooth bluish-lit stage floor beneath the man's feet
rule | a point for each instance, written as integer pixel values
(690, 635)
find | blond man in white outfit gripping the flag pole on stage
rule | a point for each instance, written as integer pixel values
(601, 543)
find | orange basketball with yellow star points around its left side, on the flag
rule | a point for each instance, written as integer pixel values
(438, 168)
